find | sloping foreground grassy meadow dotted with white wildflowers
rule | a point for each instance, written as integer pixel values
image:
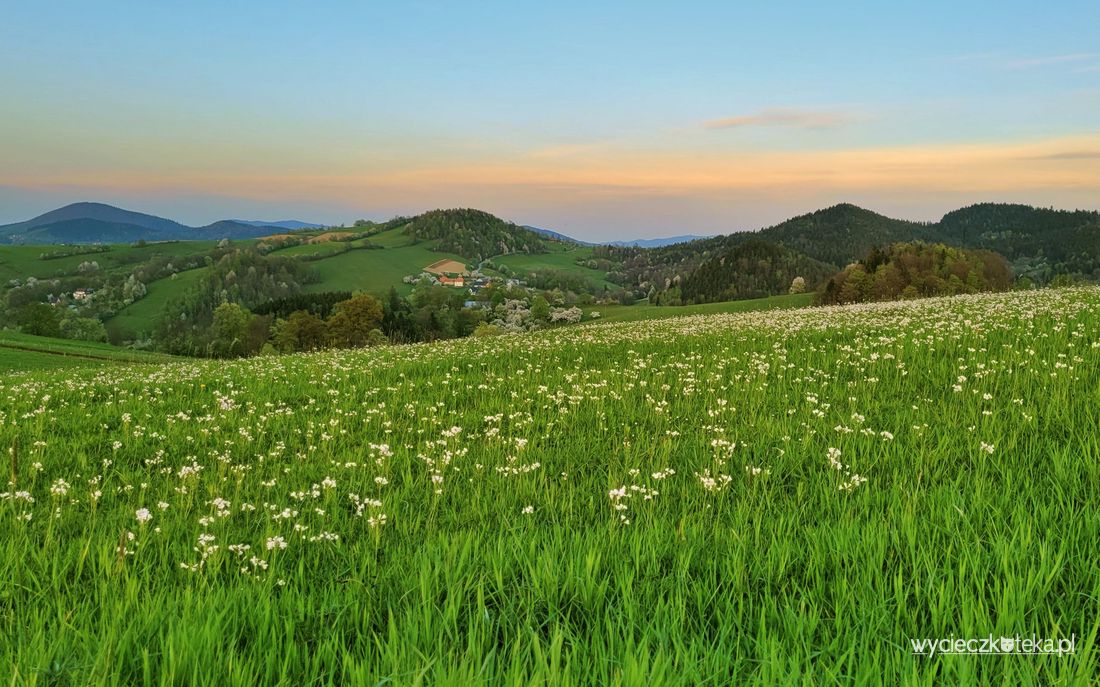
(778, 497)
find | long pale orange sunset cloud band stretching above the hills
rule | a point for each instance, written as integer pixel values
(607, 171)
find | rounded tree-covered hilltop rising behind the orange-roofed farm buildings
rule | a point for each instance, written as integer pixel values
(471, 234)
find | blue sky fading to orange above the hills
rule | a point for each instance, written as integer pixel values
(601, 120)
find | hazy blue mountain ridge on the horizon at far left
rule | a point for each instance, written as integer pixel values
(94, 223)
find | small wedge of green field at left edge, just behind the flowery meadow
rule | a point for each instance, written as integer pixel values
(24, 352)
